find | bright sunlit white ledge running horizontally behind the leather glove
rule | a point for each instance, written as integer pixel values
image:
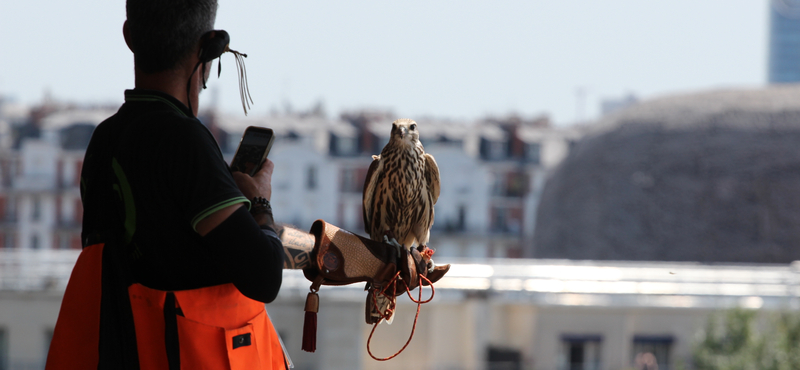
(541, 282)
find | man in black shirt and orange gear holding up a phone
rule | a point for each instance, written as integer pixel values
(175, 269)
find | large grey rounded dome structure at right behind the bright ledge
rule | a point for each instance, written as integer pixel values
(712, 177)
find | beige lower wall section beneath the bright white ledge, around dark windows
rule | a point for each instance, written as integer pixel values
(453, 332)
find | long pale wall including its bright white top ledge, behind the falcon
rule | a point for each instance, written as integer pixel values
(505, 306)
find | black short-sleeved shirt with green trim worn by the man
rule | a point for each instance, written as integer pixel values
(151, 173)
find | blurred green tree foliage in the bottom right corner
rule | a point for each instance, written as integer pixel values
(732, 341)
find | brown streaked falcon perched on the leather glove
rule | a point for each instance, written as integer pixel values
(401, 187)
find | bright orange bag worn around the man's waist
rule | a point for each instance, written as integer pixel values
(214, 327)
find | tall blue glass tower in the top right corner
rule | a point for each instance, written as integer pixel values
(784, 41)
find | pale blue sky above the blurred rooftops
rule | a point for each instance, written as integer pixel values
(441, 59)
